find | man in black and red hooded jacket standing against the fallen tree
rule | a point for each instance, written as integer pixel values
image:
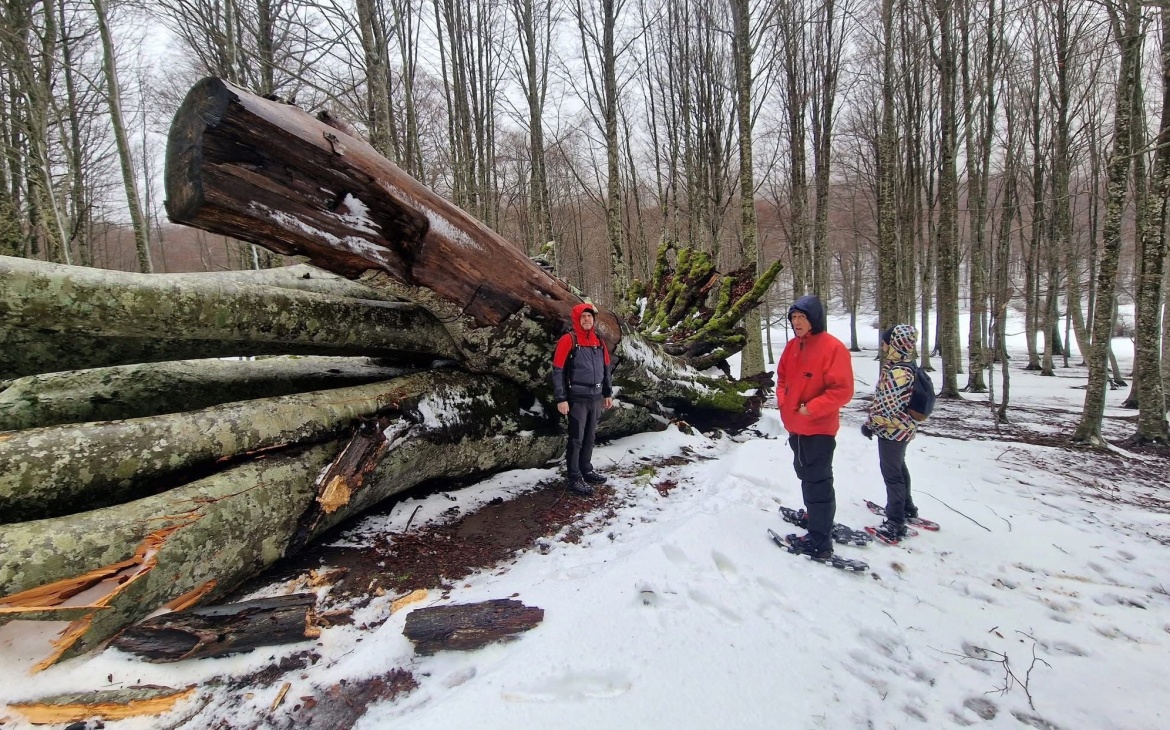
(581, 383)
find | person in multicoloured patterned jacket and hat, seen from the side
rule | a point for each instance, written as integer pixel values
(891, 422)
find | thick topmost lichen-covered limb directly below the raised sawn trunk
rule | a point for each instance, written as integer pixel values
(40, 300)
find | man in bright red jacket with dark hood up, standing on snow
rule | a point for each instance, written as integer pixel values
(814, 383)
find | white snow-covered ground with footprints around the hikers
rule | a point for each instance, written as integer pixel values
(1038, 604)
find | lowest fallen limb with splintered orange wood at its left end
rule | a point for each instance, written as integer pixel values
(120, 564)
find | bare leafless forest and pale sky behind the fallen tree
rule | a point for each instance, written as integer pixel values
(919, 156)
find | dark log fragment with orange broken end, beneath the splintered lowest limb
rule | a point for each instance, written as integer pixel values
(219, 631)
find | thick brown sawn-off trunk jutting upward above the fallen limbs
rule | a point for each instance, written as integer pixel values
(276, 176)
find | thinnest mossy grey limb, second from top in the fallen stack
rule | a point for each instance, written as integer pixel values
(154, 389)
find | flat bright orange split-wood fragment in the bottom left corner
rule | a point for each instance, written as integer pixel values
(107, 705)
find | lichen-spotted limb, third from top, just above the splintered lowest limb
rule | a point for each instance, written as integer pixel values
(63, 470)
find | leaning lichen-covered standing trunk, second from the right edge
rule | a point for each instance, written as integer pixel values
(1130, 42)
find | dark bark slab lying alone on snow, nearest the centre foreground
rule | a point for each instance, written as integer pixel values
(470, 626)
